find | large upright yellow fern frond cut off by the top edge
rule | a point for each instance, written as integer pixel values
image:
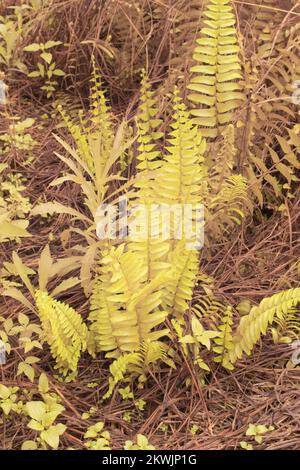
(215, 83)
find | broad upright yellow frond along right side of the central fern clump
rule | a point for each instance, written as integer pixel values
(182, 182)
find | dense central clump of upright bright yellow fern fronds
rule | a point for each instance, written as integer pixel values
(140, 282)
